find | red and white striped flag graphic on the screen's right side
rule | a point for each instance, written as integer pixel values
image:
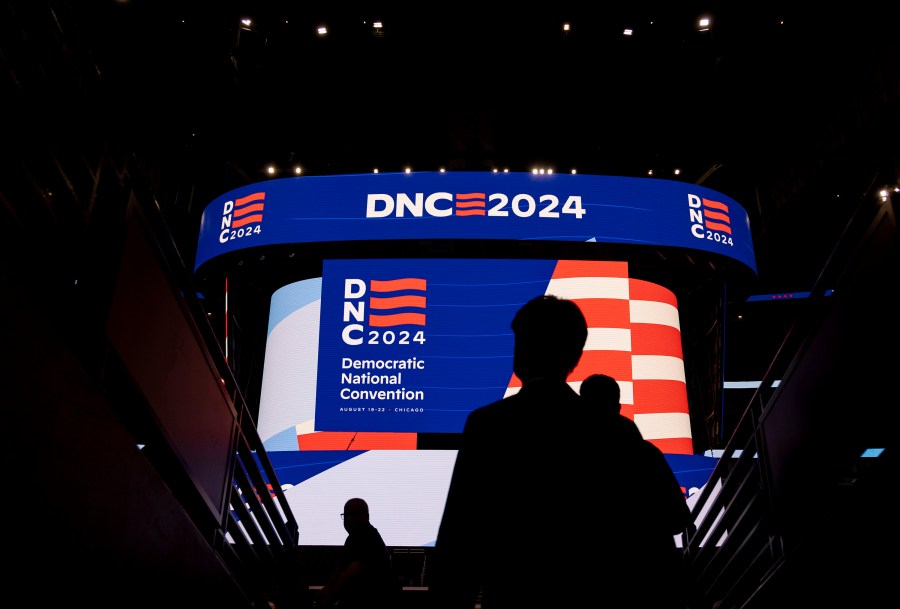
(634, 336)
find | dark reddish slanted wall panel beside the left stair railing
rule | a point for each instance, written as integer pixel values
(151, 331)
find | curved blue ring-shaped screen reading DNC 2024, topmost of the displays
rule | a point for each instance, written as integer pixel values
(556, 208)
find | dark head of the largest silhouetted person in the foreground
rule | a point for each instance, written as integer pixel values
(550, 333)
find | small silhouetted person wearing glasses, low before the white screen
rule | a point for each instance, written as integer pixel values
(363, 578)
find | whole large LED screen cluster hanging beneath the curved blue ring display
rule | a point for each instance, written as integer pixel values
(372, 368)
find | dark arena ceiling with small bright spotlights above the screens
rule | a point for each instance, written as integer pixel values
(792, 112)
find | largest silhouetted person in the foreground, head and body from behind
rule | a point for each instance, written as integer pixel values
(546, 505)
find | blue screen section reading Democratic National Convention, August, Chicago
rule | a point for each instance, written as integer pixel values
(411, 345)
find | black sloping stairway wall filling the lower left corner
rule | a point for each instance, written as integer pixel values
(89, 521)
